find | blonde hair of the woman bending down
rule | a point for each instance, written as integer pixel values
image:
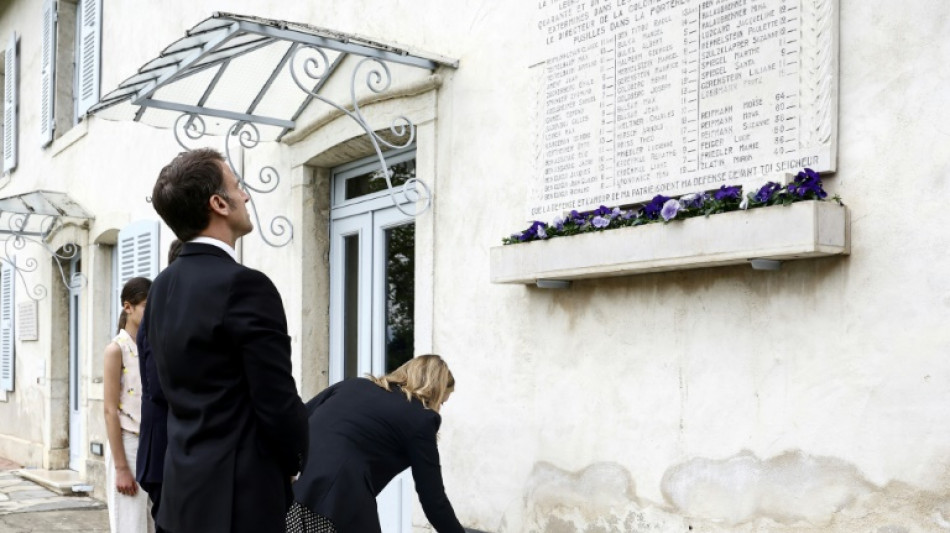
(426, 378)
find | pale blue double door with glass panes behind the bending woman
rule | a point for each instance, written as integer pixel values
(372, 251)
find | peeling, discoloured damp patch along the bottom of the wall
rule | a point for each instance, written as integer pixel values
(792, 492)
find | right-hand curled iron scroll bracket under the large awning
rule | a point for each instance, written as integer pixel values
(402, 130)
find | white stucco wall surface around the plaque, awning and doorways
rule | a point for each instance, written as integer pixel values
(807, 399)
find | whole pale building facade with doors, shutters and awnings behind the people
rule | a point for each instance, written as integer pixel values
(811, 398)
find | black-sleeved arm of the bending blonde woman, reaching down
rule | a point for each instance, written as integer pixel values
(427, 474)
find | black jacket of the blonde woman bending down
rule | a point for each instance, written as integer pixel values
(361, 436)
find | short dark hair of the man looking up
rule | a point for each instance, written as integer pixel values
(183, 189)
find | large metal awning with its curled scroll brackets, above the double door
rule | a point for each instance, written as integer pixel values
(254, 78)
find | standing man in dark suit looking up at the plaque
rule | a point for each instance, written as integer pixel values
(237, 429)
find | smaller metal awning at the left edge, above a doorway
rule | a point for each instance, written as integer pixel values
(38, 213)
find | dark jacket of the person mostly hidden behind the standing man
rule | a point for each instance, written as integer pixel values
(153, 430)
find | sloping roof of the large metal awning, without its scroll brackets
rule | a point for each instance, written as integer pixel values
(245, 68)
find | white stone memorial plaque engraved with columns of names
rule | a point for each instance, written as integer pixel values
(647, 97)
